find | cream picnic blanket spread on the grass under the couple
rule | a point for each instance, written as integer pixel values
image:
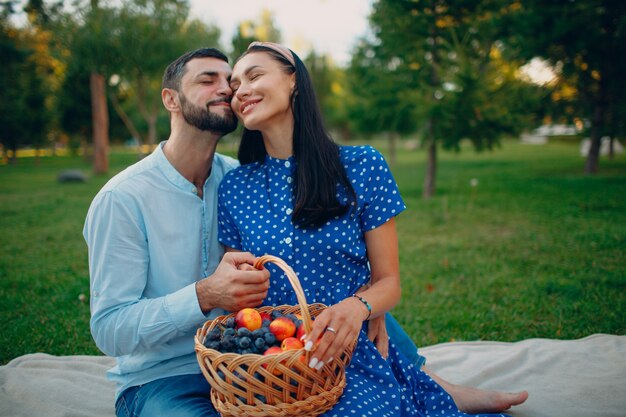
(569, 378)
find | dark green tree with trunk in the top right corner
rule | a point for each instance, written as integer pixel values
(586, 43)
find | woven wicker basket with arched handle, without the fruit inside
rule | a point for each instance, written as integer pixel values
(272, 385)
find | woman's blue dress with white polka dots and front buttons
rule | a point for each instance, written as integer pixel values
(255, 206)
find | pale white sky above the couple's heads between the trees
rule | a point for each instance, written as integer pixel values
(329, 26)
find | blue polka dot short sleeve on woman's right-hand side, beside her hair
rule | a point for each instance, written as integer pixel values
(381, 197)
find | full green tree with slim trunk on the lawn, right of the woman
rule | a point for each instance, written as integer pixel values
(440, 54)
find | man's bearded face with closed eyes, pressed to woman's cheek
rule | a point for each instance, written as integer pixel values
(205, 95)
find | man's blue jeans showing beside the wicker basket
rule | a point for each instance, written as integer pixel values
(176, 396)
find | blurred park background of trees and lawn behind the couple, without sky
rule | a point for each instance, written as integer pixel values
(501, 121)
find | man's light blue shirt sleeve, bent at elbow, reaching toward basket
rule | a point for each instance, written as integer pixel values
(123, 321)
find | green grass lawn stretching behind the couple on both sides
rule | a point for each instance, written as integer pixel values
(536, 249)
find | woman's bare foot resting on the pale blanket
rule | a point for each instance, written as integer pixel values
(473, 400)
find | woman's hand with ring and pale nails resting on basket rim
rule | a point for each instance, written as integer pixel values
(334, 329)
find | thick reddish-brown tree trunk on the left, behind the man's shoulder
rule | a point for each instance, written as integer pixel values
(100, 117)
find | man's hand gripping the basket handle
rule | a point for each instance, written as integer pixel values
(234, 285)
